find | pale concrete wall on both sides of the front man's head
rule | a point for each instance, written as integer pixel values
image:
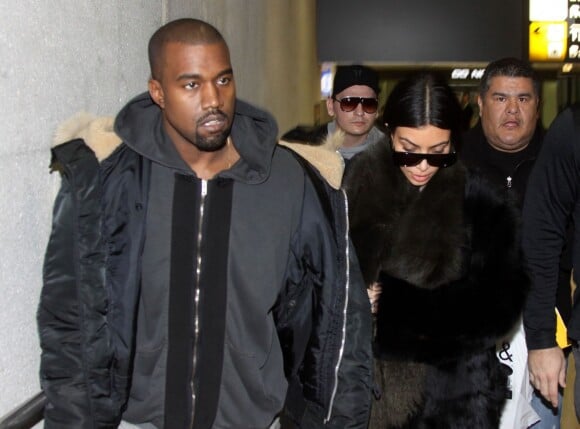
(63, 56)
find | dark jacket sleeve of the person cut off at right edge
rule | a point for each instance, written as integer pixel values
(551, 198)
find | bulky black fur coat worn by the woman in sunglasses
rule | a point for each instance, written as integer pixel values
(450, 264)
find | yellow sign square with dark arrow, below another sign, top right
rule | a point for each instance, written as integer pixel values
(548, 41)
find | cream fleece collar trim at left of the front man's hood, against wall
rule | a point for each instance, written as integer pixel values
(97, 132)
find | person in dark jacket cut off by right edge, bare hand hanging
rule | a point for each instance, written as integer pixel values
(552, 200)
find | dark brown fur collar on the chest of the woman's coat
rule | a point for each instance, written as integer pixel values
(426, 246)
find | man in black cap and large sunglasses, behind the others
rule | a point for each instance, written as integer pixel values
(354, 105)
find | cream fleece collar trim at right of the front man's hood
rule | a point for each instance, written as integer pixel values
(325, 157)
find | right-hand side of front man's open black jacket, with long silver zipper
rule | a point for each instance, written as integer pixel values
(327, 319)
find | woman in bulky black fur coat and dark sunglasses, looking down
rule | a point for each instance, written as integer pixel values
(444, 249)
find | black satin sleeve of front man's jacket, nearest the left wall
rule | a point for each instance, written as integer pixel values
(61, 369)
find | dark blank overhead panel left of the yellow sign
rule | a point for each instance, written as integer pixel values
(411, 31)
